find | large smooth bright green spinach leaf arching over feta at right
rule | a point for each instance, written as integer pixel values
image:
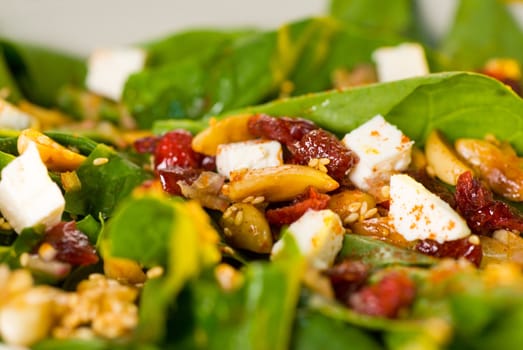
(460, 104)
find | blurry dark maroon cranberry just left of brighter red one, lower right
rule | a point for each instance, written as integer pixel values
(347, 277)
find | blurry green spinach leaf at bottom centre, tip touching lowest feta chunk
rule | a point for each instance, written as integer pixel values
(257, 316)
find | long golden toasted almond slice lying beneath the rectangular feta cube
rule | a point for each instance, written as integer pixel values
(278, 183)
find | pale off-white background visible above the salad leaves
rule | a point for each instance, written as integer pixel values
(78, 26)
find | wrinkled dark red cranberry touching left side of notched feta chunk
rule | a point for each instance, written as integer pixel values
(322, 144)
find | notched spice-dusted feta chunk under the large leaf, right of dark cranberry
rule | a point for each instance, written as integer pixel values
(382, 149)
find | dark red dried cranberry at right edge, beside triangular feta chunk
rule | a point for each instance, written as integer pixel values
(483, 214)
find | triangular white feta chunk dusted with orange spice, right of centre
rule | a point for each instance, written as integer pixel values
(418, 213)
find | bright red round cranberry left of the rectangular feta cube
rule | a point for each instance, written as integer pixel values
(174, 149)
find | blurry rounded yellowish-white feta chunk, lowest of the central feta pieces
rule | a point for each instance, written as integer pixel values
(319, 236)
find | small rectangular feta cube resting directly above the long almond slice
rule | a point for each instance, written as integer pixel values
(254, 154)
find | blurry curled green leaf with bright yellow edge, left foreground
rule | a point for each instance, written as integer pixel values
(158, 231)
